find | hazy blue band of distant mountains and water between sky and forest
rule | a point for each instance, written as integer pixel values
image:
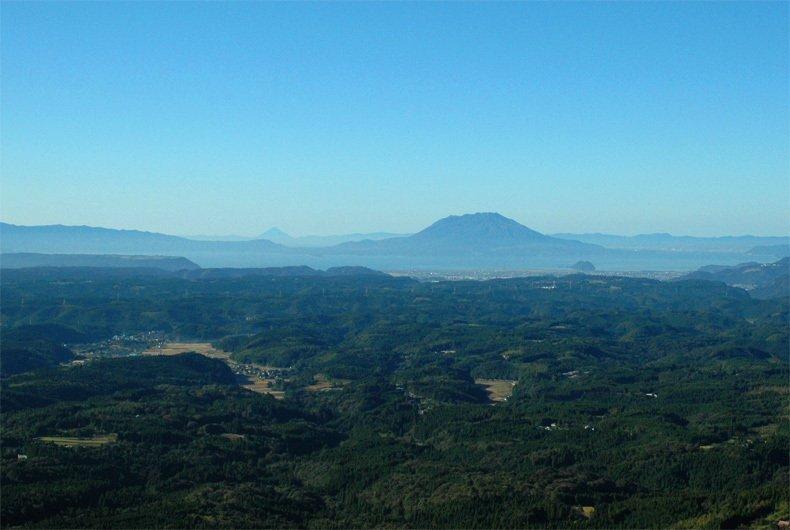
(472, 241)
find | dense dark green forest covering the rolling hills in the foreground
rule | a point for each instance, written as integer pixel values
(625, 402)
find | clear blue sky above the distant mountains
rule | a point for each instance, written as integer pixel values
(319, 118)
